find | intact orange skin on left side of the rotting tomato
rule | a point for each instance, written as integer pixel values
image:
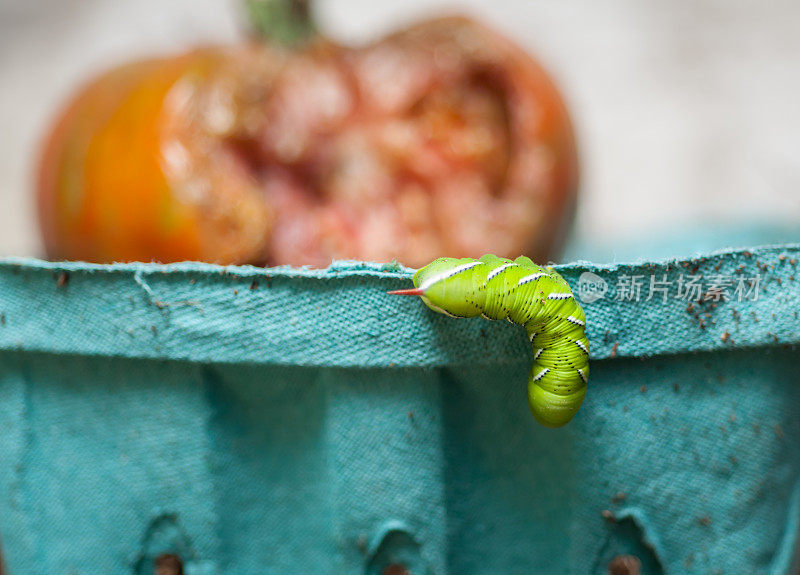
(108, 192)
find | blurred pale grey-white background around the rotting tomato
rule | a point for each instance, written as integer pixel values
(685, 113)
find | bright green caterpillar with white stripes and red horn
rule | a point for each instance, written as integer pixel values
(527, 294)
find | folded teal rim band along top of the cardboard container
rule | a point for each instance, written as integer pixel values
(338, 317)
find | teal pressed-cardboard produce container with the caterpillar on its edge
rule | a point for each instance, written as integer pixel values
(302, 421)
